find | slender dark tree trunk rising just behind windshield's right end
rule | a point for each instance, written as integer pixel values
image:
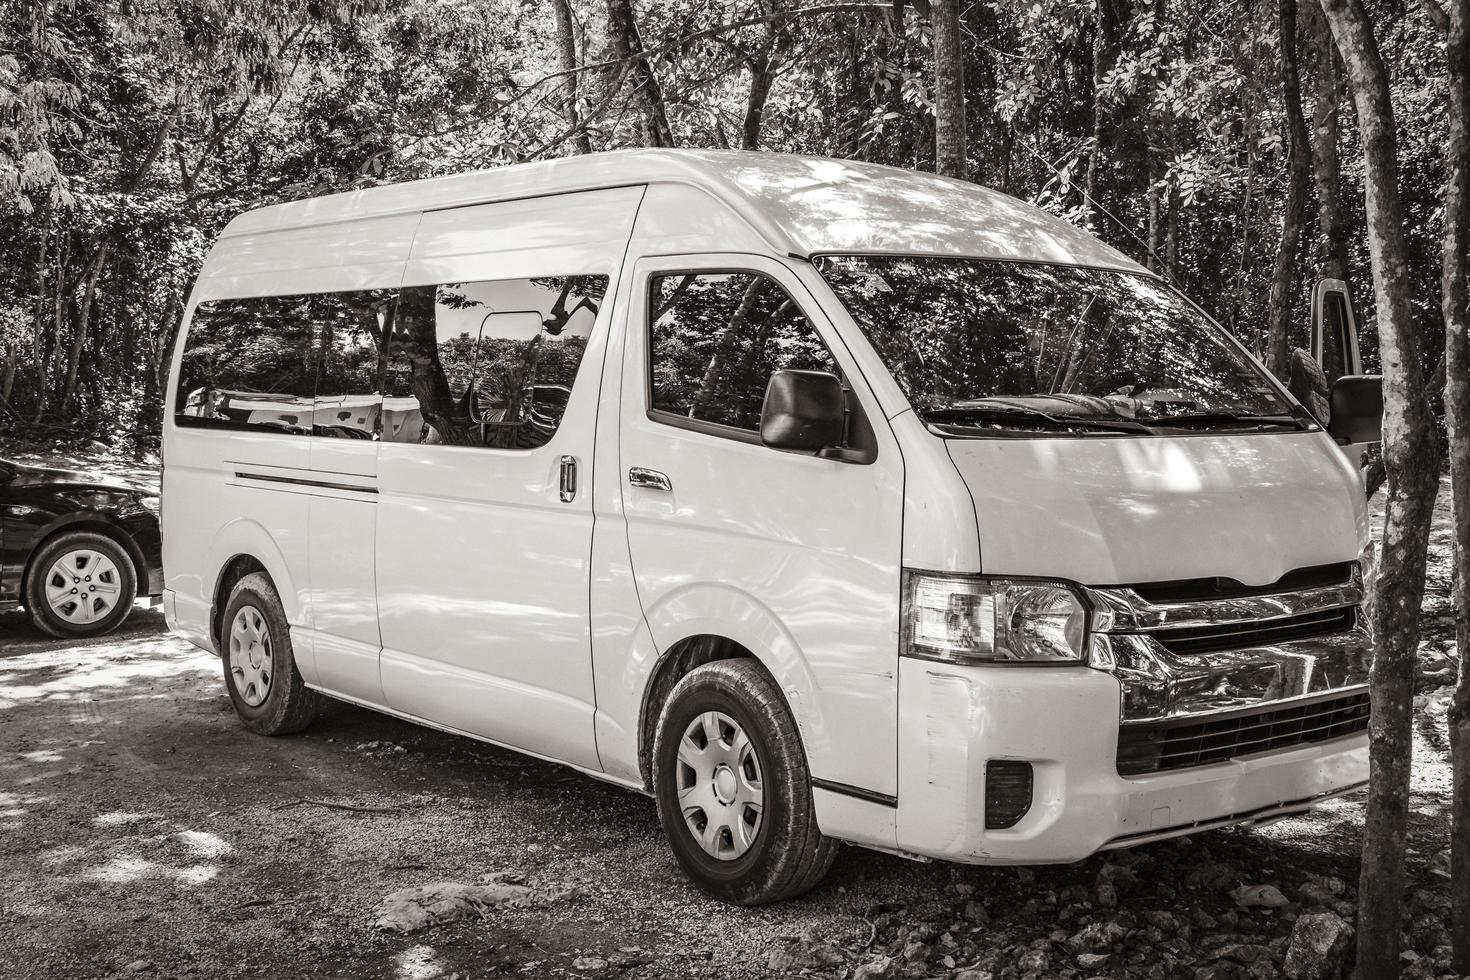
(1299, 186)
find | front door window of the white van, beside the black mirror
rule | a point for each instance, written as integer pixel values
(718, 337)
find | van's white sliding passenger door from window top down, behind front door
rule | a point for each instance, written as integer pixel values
(484, 525)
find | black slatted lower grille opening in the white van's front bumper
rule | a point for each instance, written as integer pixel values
(1153, 747)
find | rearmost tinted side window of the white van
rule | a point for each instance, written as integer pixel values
(249, 365)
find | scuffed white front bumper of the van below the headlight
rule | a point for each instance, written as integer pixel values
(1065, 722)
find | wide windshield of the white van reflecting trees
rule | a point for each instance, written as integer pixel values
(1008, 346)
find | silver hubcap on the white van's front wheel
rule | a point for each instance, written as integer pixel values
(721, 791)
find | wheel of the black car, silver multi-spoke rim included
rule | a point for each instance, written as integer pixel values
(99, 596)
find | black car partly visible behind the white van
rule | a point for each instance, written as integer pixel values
(76, 549)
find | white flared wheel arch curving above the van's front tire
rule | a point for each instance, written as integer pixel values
(723, 610)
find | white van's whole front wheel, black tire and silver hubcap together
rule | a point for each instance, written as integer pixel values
(783, 853)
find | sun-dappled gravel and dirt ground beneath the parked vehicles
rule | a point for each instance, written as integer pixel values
(143, 832)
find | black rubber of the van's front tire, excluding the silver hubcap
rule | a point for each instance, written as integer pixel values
(789, 854)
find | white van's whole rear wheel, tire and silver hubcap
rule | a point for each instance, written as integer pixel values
(261, 675)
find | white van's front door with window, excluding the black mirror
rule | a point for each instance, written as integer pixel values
(792, 556)
